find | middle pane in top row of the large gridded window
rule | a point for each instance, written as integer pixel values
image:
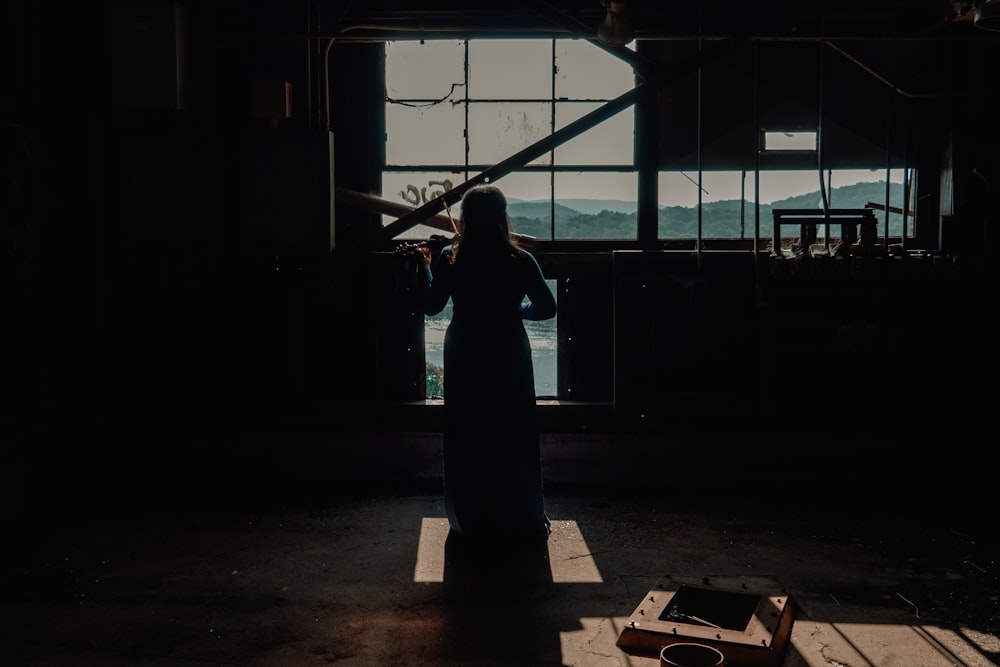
(510, 69)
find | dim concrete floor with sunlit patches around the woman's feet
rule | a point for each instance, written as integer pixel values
(372, 579)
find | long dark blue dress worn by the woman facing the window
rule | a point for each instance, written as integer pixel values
(492, 463)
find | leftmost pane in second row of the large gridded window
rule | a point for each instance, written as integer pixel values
(429, 135)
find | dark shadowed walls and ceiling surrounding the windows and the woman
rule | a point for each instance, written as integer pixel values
(175, 293)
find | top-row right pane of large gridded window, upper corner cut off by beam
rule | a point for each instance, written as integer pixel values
(587, 72)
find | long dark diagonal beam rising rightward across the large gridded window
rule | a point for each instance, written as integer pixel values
(542, 146)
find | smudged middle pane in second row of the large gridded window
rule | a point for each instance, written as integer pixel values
(498, 130)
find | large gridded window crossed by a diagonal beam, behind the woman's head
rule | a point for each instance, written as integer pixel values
(455, 108)
